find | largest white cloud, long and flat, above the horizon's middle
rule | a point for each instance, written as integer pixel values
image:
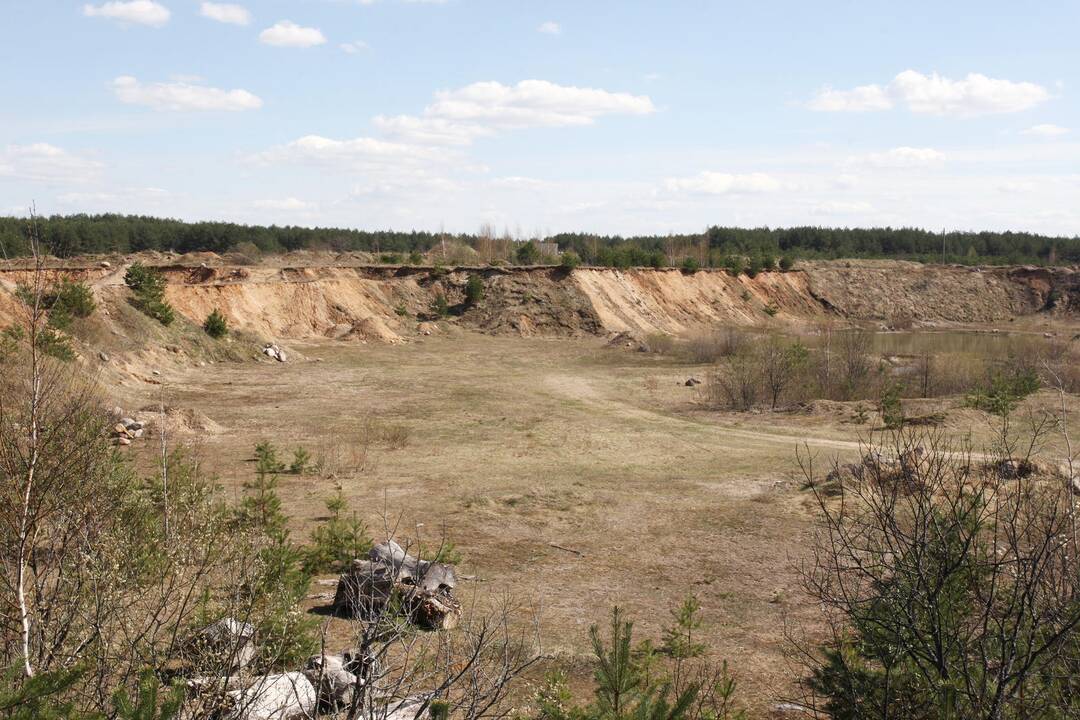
(457, 117)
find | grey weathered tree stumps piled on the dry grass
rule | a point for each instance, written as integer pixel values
(424, 589)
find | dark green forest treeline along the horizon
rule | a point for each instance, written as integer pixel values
(80, 235)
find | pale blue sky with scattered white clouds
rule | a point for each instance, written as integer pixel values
(589, 116)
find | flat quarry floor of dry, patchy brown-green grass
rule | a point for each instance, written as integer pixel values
(571, 476)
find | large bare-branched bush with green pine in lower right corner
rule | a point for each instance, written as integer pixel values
(941, 592)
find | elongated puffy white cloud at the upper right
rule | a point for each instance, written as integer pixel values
(974, 96)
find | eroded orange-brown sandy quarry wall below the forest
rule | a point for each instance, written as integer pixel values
(383, 304)
